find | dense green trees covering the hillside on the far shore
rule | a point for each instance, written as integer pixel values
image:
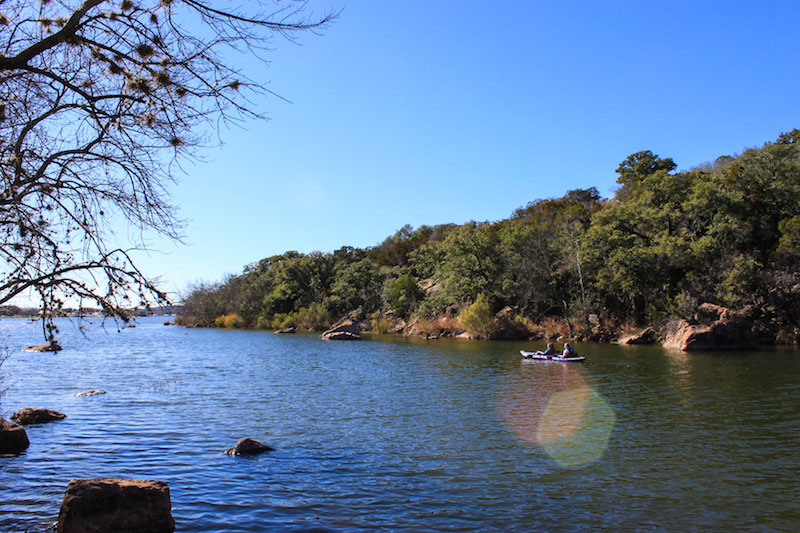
(726, 232)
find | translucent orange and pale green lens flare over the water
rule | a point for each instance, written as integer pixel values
(551, 405)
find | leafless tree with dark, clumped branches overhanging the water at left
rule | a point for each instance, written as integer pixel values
(100, 101)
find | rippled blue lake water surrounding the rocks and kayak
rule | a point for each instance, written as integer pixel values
(404, 434)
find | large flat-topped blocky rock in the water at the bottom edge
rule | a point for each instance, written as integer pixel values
(119, 505)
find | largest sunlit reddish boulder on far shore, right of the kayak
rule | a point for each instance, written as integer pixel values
(712, 327)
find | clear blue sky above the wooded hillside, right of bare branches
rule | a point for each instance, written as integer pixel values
(428, 112)
